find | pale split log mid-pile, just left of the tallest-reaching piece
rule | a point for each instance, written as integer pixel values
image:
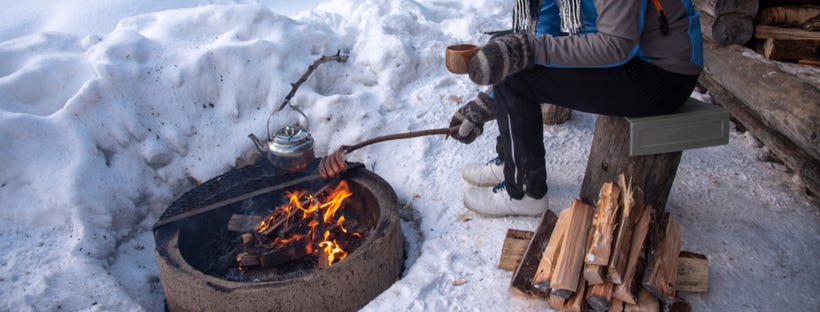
(603, 225)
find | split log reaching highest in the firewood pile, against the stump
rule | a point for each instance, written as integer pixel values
(631, 212)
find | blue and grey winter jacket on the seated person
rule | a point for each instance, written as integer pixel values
(614, 32)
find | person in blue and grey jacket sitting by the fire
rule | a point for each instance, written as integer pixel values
(618, 58)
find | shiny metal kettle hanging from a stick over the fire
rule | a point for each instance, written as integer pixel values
(289, 149)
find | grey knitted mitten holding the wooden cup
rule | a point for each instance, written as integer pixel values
(500, 57)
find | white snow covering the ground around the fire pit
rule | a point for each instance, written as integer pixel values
(109, 110)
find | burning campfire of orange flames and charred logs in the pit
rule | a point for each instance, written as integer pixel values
(310, 224)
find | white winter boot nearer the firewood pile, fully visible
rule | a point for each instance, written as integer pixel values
(496, 202)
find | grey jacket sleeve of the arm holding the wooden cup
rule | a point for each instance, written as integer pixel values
(615, 42)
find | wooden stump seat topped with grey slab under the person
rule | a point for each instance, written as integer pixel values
(648, 149)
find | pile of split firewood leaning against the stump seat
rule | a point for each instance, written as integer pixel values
(620, 227)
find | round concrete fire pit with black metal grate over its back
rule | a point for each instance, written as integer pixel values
(199, 257)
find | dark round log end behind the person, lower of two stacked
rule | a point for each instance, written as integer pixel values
(727, 29)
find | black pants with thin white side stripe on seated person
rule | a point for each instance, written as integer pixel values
(634, 89)
